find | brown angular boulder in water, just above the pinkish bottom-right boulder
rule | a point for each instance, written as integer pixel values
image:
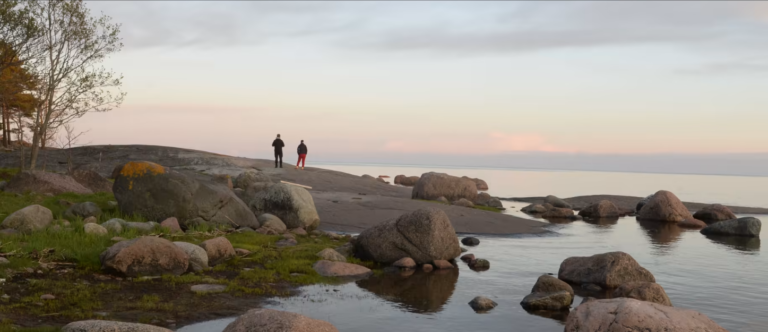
(608, 270)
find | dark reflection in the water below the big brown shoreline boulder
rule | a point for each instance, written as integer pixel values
(418, 292)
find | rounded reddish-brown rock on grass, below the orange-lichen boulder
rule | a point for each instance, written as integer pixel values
(145, 256)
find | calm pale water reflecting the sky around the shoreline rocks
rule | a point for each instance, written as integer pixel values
(723, 278)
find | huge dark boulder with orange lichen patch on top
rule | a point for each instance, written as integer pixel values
(158, 193)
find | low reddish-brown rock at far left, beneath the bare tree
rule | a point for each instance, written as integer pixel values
(44, 183)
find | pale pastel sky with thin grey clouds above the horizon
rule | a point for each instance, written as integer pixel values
(454, 82)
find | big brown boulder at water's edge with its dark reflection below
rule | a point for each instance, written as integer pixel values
(425, 235)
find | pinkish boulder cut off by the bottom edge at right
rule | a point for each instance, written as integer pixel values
(625, 314)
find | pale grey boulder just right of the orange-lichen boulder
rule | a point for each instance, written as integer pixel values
(292, 204)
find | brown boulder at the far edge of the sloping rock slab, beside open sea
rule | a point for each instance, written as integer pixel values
(432, 186)
